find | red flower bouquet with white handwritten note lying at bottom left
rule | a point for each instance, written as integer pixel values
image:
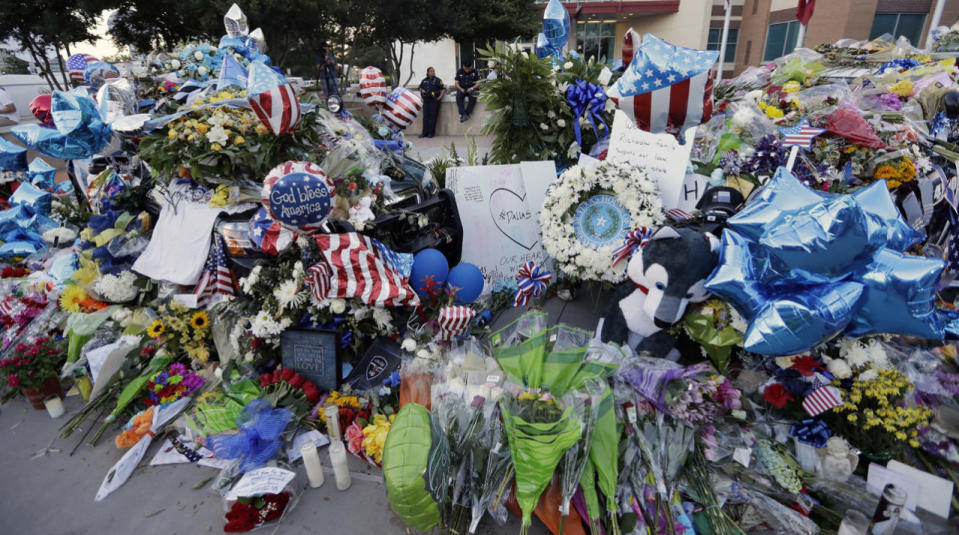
(261, 498)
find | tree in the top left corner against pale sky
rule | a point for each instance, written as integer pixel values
(45, 29)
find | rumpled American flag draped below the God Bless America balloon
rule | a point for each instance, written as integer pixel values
(356, 266)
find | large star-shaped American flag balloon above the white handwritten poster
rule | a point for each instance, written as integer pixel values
(666, 88)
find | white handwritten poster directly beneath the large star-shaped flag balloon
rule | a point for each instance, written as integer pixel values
(662, 157)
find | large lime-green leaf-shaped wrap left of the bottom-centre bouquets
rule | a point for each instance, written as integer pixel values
(405, 457)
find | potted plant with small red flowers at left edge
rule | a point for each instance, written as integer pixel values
(34, 368)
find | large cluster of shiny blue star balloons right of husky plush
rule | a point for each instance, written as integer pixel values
(803, 266)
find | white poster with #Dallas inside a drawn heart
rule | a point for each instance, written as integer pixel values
(500, 206)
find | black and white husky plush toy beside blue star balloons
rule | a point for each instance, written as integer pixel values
(665, 275)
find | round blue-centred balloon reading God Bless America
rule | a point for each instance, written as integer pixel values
(298, 195)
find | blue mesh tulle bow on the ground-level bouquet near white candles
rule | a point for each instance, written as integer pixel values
(259, 437)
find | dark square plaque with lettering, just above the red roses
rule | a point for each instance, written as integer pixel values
(312, 354)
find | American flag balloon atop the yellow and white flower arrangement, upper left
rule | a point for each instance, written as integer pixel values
(272, 98)
